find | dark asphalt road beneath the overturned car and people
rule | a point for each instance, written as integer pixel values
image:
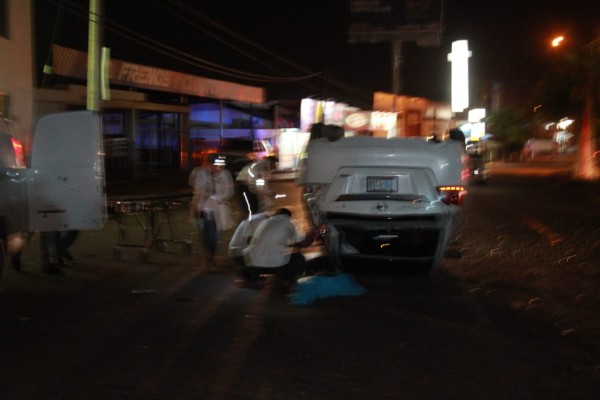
(514, 317)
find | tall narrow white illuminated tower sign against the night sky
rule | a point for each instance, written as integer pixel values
(459, 58)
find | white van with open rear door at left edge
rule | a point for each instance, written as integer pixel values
(63, 187)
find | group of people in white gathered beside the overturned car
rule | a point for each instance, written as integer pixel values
(264, 243)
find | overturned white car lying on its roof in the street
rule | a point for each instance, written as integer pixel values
(387, 200)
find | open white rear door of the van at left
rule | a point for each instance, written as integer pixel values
(67, 188)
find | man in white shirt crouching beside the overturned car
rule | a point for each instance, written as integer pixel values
(274, 249)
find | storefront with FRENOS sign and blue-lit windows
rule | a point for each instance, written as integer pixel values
(155, 118)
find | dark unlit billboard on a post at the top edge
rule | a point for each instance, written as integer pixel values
(395, 17)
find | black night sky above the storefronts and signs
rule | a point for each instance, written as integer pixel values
(297, 38)
